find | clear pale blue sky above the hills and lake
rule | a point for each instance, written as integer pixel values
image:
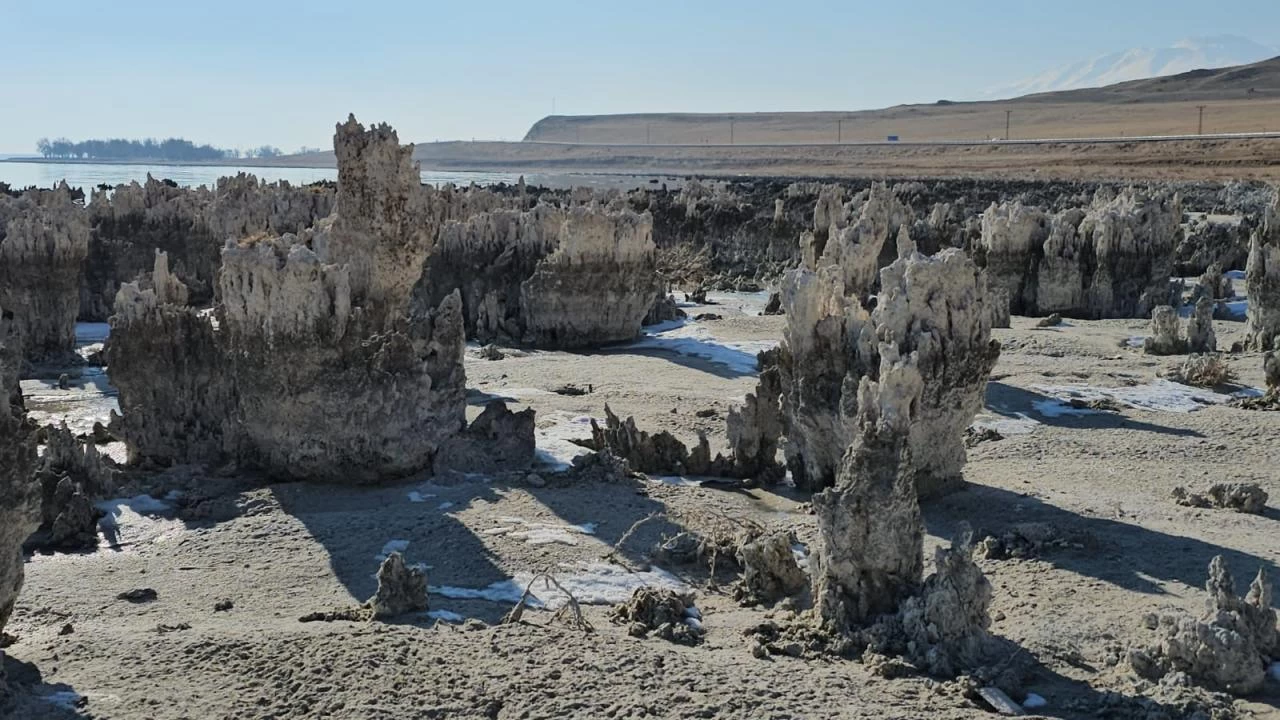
(241, 74)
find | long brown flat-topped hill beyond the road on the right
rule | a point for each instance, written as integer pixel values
(1238, 99)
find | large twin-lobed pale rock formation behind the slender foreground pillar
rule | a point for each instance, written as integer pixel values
(929, 338)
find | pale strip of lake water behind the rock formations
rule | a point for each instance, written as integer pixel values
(92, 175)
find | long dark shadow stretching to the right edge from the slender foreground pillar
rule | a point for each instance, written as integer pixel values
(1118, 553)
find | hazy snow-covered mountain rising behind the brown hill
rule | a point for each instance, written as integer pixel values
(1140, 63)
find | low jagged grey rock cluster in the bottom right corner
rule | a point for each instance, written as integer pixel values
(1227, 648)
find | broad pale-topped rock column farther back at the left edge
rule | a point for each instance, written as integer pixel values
(44, 240)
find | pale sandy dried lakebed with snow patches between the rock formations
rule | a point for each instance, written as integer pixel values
(1100, 481)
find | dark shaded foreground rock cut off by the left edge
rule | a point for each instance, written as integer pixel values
(20, 493)
